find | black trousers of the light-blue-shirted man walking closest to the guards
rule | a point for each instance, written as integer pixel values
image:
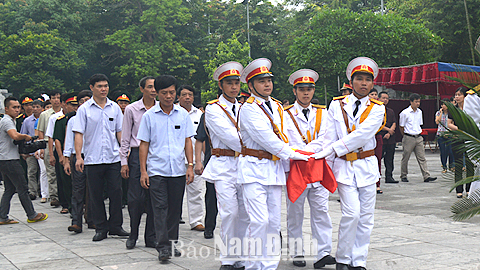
(166, 194)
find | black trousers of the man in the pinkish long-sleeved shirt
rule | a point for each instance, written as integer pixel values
(139, 201)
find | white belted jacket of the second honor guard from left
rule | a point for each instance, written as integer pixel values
(257, 133)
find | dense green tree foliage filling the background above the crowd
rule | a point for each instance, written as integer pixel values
(59, 44)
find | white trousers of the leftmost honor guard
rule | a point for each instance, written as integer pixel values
(234, 217)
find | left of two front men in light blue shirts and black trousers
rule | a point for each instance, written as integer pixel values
(98, 129)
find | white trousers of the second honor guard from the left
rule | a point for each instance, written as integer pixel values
(263, 205)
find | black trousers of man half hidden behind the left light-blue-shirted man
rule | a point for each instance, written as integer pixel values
(79, 193)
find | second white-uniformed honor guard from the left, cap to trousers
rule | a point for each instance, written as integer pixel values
(260, 171)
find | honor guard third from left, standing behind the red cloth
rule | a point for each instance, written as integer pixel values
(305, 123)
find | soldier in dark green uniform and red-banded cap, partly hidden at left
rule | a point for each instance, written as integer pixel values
(59, 131)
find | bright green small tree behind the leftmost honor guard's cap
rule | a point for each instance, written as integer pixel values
(232, 50)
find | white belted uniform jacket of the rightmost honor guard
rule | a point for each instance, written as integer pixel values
(364, 171)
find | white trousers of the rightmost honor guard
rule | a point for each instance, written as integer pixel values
(356, 224)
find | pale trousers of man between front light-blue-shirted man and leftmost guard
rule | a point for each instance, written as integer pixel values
(194, 201)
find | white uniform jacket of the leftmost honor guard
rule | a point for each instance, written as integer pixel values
(223, 135)
